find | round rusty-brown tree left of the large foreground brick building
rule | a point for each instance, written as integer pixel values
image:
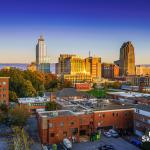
(18, 116)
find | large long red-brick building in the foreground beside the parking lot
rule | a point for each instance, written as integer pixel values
(54, 126)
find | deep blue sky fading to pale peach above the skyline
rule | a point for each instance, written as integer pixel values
(74, 27)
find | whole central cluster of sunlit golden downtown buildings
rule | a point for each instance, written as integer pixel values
(79, 70)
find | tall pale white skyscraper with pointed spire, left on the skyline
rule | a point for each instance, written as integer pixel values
(40, 51)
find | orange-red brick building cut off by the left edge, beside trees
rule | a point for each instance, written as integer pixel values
(4, 90)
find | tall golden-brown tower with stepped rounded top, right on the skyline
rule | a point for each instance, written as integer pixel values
(127, 59)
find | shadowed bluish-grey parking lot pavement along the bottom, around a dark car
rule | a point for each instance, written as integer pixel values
(118, 143)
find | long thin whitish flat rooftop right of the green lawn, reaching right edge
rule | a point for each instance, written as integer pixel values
(129, 94)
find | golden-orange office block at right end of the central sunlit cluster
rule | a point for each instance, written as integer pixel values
(93, 66)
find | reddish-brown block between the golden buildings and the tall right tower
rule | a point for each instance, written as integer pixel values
(110, 71)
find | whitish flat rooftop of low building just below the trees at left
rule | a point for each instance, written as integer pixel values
(32, 100)
